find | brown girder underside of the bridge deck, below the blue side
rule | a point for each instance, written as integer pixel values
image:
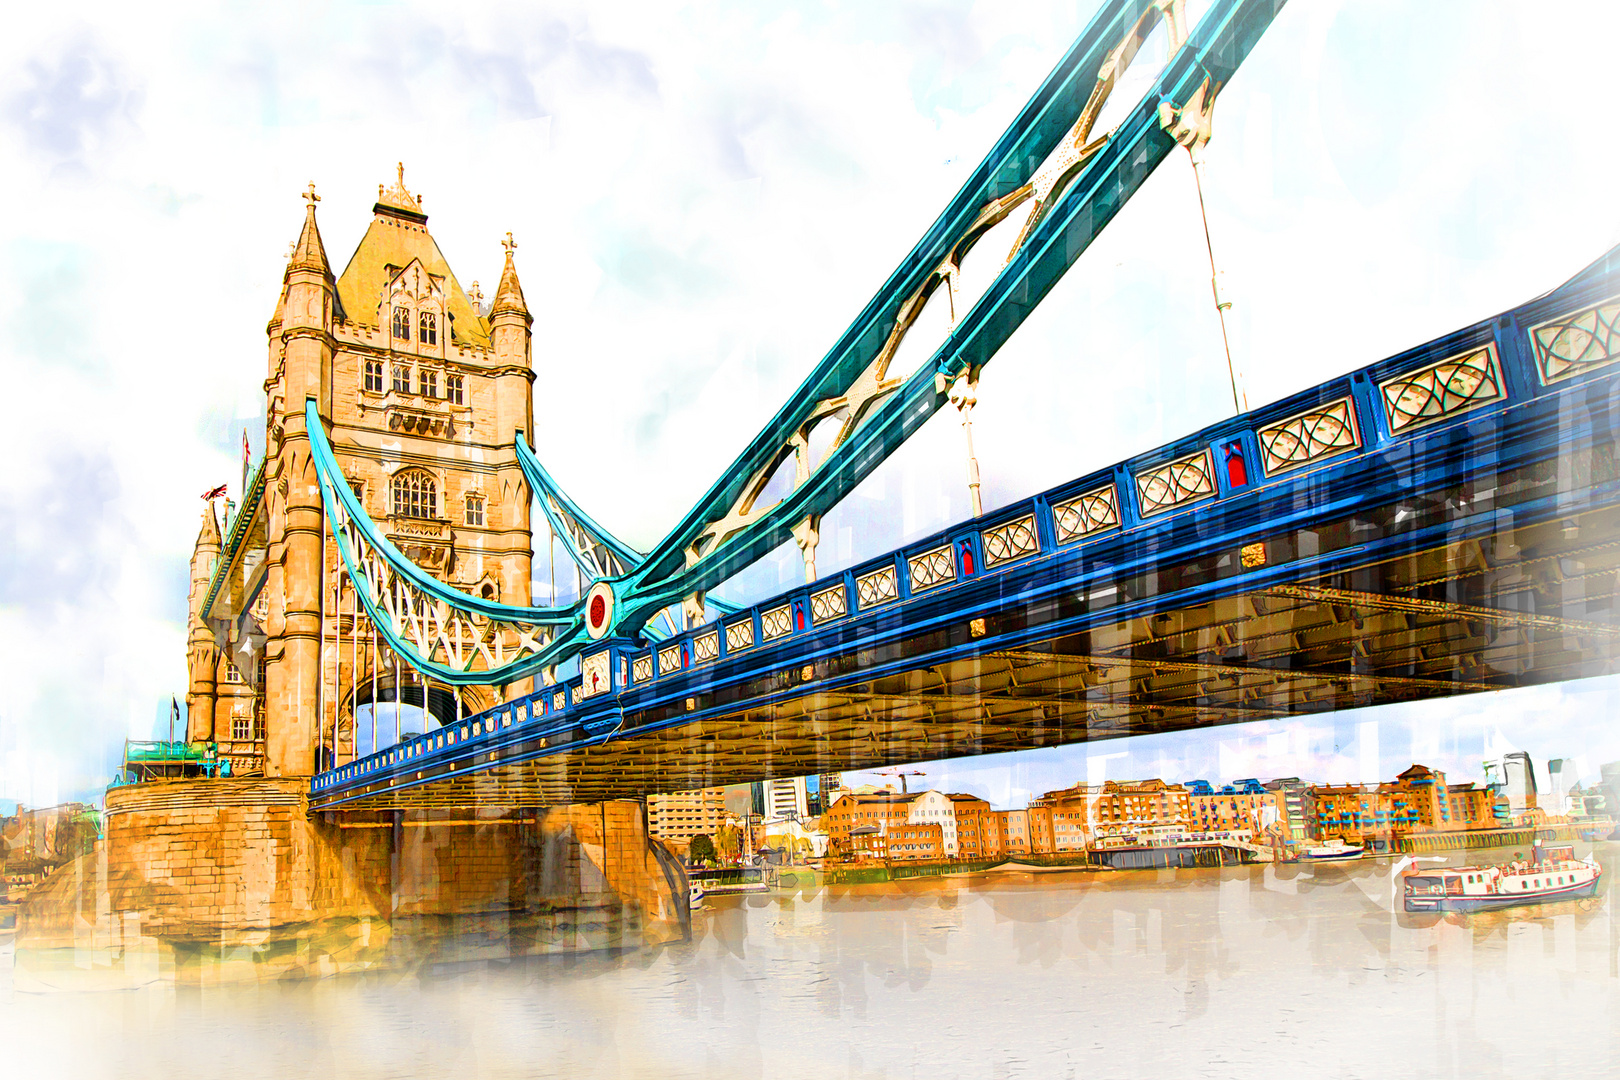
(1261, 653)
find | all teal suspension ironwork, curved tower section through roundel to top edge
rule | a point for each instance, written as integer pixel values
(1047, 156)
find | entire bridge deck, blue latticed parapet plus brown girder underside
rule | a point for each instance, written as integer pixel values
(1443, 522)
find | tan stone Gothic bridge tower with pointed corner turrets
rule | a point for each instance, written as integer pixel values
(424, 391)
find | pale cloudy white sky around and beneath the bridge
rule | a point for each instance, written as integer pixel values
(704, 195)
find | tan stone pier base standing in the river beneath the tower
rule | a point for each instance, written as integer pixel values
(228, 882)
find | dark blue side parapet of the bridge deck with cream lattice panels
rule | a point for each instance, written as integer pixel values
(1068, 559)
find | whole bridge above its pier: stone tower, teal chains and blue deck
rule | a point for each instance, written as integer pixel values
(1439, 522)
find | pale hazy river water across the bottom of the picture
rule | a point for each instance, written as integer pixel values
(1248, 971)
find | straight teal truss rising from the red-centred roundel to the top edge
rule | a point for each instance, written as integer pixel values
(725, 534)
